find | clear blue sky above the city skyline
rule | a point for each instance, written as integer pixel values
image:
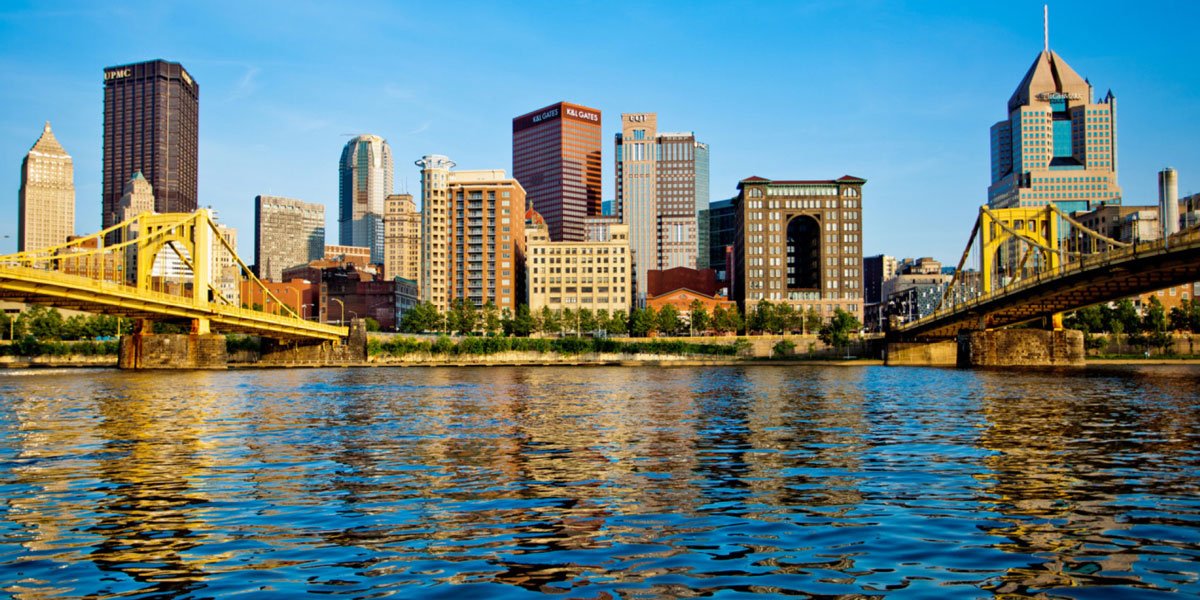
(902, 94)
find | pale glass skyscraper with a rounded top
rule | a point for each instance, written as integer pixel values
(365, 178)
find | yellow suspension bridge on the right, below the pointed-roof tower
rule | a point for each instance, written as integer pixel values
(1036, 263)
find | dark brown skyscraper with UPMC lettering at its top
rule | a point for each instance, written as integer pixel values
(152, 125)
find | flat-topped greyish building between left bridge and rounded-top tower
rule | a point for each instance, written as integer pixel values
(287, 233)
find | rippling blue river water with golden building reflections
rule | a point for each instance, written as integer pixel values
(602, 483)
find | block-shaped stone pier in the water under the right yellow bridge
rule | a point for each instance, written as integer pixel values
(1021, 349)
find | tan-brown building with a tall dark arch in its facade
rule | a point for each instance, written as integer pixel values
(800, 242)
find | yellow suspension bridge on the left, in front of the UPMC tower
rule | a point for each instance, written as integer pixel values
(157, 267)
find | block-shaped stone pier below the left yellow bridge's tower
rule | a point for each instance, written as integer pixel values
(146, 351)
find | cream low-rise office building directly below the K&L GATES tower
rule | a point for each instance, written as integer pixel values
(595, 275)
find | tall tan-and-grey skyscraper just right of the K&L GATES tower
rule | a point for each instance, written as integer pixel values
(662, 187)
